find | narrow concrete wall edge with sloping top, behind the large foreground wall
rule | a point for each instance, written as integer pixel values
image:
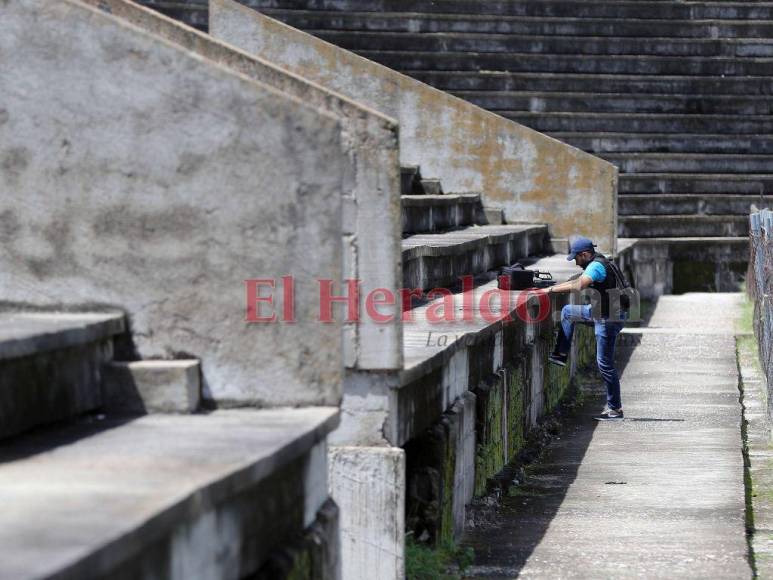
(371, 196)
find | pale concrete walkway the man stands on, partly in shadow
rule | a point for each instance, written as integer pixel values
(660, 495)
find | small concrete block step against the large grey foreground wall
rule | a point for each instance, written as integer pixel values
(155, 386)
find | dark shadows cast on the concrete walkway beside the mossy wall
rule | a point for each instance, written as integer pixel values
(503, 546)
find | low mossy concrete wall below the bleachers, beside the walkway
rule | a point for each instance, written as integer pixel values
(513, 387)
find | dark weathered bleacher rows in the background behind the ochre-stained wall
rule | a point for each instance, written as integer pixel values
(676, 94)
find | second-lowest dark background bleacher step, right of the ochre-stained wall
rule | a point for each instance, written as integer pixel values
(695, 204)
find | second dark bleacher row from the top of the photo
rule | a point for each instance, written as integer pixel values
(520, 25)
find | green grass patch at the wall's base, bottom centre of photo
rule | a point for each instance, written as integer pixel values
(446, 562)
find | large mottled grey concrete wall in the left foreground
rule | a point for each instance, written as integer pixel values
(138, 175)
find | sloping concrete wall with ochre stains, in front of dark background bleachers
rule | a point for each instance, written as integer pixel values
(532, 177)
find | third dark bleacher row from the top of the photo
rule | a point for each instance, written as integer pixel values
(572, 45)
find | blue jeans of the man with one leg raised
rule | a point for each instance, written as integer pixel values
(606, 332)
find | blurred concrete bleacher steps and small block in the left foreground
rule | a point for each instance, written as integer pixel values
(92, 493)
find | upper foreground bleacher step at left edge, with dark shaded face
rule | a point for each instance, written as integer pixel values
(51, 365)
